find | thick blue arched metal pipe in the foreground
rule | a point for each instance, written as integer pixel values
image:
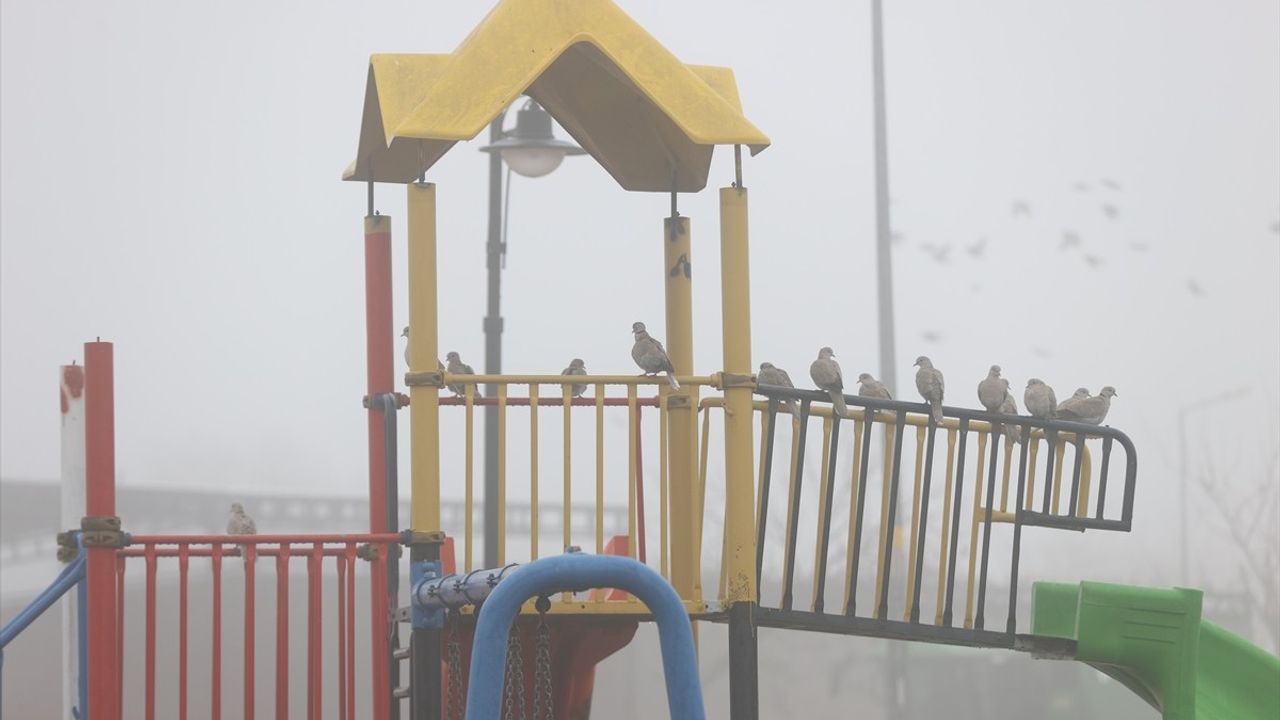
(575, 572)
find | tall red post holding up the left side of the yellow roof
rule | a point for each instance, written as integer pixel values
(380, 348)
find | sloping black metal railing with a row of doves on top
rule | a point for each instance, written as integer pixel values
(1014, 444)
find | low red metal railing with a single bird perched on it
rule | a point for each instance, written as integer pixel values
(344, 549)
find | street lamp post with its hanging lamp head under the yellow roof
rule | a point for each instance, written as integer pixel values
(532, 151)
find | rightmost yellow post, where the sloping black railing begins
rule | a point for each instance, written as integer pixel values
(739, 455)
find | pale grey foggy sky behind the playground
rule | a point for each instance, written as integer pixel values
(1087, 193)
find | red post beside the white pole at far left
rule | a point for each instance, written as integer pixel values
(104, 681)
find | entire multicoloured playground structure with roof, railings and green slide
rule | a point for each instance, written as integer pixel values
(653, 124)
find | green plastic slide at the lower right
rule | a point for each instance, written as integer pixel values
(1154, 642)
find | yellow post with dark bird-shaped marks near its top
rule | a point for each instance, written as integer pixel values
(682, 408)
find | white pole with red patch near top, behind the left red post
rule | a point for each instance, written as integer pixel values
(72, 504)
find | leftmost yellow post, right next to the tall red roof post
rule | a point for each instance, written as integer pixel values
(424, 400)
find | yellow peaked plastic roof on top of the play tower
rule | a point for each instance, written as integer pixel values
(648, 119)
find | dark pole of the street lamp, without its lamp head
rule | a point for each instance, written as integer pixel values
(493, 347)
